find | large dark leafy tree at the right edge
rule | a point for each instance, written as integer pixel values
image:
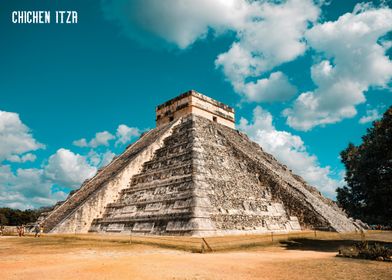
(368, 194)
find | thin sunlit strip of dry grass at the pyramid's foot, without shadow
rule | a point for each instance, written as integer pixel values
(225, 243)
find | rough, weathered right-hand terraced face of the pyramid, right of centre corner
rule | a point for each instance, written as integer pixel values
(241, 200)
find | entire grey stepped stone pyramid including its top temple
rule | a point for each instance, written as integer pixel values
(196, 175)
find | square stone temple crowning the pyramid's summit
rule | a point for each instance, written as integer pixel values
(193, 102)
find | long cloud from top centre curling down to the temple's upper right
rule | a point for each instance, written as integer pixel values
(268, 33)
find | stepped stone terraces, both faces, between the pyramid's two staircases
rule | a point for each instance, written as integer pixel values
(195, 184)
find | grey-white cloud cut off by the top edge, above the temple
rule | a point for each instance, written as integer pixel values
(177, 22)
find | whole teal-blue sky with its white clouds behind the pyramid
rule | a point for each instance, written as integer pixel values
(305, 79)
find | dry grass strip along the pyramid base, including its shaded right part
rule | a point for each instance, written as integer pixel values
(310, 240)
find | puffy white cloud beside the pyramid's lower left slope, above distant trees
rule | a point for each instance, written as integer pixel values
(68, 169)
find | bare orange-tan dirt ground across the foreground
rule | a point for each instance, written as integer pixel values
(59, 258)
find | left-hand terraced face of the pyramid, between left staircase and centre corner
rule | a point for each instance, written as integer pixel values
(160, 198)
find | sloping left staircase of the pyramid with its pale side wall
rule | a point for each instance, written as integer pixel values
(88, 203)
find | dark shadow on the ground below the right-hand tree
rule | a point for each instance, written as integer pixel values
(324, 245)
